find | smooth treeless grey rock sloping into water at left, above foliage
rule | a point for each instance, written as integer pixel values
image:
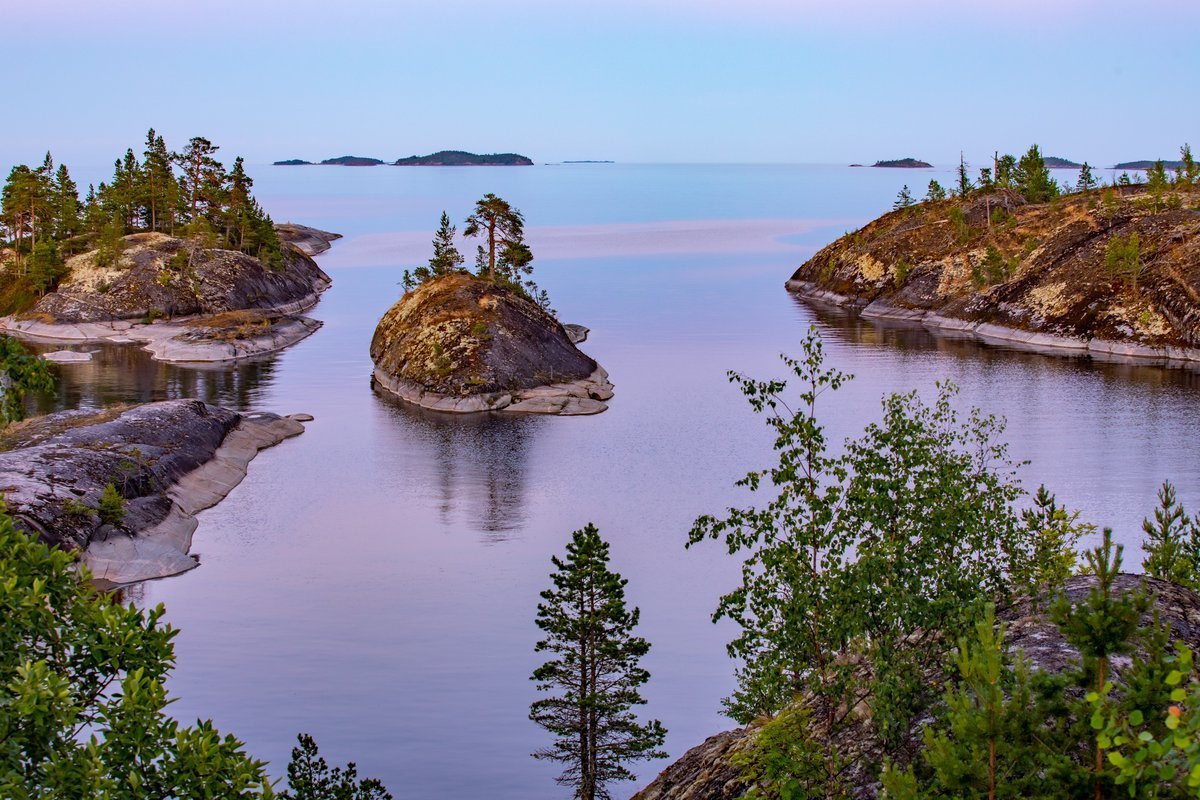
(159, 464)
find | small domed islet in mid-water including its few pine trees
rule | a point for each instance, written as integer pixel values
(487, 341)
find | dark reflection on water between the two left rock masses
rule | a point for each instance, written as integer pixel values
(125, 374)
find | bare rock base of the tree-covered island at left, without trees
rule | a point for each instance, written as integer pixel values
(184, 302)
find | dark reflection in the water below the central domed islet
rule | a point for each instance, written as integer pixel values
(481, 462)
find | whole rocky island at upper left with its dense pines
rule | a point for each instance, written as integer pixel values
(175, 252)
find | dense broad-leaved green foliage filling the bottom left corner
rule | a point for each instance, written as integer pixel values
(83, 696)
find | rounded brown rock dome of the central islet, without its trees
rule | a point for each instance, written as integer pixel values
(464, 345)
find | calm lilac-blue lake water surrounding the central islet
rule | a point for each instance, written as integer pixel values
(374, 582)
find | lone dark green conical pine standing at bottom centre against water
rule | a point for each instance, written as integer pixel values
(595, 672)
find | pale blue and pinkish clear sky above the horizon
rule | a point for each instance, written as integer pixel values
(633, 81)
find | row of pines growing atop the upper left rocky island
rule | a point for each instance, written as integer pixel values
(187, 194)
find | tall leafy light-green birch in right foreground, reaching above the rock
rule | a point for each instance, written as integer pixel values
(873, 551)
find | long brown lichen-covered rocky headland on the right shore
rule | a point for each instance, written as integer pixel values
(1112, 274)
